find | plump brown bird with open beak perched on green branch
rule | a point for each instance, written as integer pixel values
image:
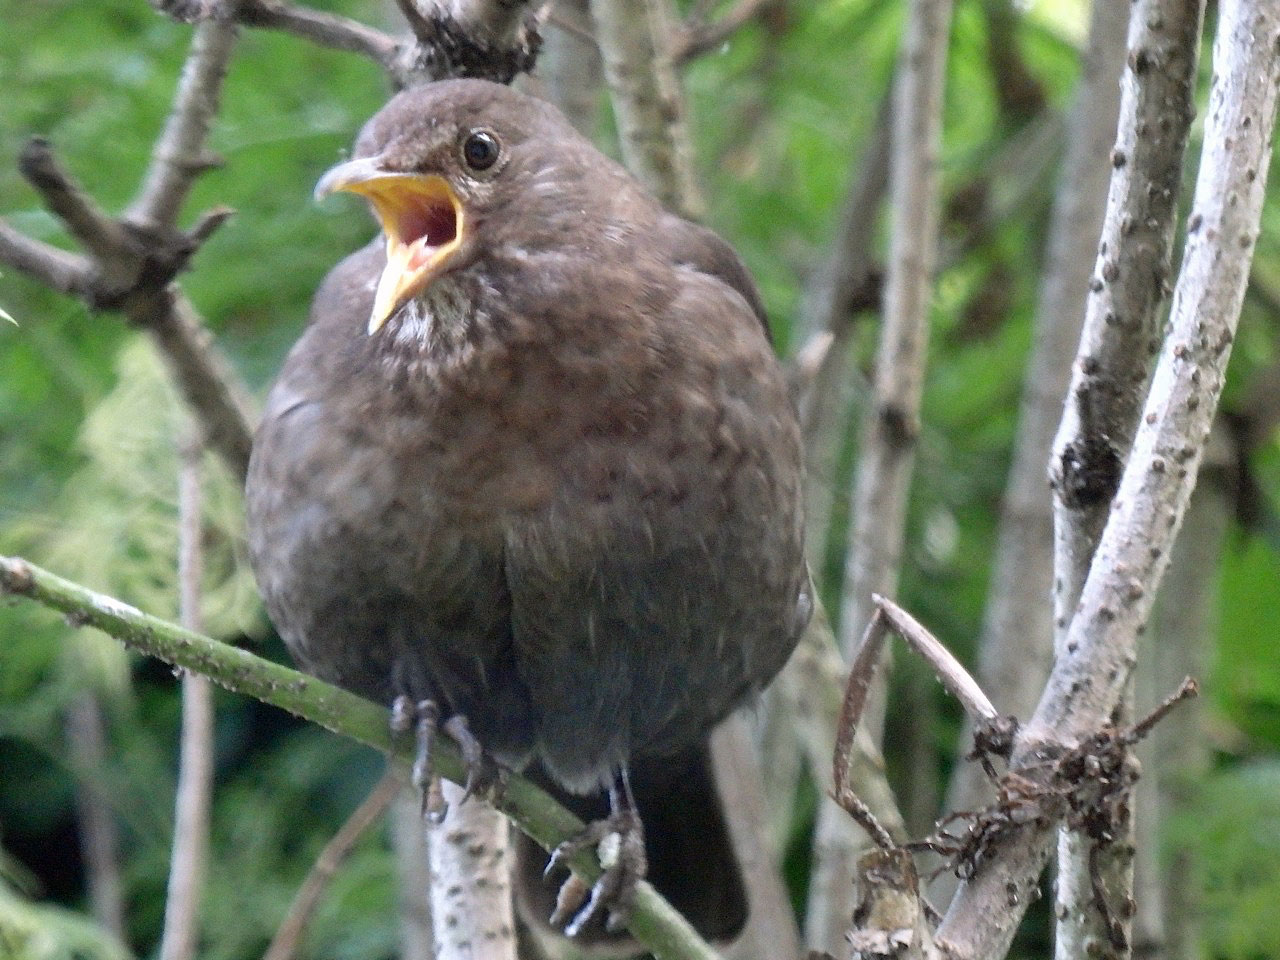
(533, 465)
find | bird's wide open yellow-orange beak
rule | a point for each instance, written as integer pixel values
(423, 221)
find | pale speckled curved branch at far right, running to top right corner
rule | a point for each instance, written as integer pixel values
(1099, 652)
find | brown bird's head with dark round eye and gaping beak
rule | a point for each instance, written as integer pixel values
(440, 164)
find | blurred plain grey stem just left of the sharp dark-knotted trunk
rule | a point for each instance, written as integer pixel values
(1017, 642)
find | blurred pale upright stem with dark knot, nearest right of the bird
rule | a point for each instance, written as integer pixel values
(893, 420)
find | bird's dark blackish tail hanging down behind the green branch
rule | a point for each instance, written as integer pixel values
(688, 844)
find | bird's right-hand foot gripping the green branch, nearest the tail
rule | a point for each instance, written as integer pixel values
(619, 842)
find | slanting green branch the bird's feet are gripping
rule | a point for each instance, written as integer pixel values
(655, 924)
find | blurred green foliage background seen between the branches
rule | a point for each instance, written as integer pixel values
(89, 432)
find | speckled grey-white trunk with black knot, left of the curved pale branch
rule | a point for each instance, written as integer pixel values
(1108, 388)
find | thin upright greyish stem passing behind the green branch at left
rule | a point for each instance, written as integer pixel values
(190, 856)
